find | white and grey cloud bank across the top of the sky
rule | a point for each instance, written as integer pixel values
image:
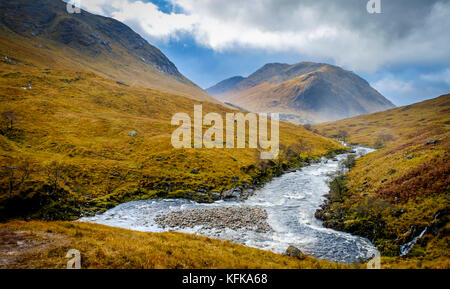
(407, 32)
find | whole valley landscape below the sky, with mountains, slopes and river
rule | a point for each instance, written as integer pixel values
(87, 159)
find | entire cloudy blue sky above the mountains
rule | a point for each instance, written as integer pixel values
(403, 52)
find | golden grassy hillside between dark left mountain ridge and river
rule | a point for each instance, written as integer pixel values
(65, 148)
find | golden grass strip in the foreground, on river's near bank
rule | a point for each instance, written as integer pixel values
(45, 245)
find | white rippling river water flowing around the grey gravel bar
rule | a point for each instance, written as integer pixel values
(290, 201)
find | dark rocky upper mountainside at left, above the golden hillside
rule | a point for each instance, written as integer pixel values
(88, 42)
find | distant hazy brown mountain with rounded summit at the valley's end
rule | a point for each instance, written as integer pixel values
(312, 91)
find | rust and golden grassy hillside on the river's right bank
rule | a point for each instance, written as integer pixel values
(392, 195)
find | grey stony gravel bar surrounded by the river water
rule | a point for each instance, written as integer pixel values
(249, 218)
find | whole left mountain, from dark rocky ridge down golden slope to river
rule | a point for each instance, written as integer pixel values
(85, 122)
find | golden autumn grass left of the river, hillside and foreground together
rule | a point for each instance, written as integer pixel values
(66, 151)
